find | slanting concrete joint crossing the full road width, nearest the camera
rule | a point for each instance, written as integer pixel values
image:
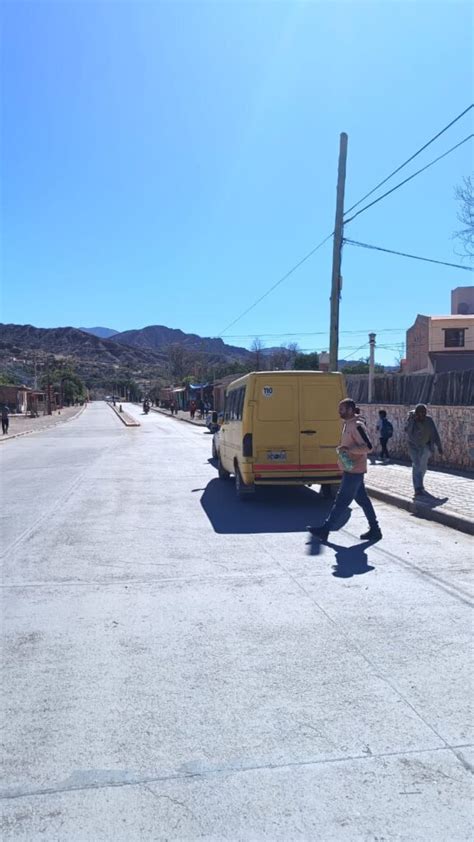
(6, 795)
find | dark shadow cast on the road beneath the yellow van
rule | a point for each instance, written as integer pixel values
(272, 509)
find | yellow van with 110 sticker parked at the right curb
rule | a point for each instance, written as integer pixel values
(281, 428)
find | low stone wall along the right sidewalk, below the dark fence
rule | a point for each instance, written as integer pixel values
(455, 426)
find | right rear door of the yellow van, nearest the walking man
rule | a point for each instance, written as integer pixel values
(320, 425)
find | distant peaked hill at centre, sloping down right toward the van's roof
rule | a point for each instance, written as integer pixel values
(159, 338)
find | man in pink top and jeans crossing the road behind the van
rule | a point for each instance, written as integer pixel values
(352, 458)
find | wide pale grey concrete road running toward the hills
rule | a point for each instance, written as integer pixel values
(181, 666)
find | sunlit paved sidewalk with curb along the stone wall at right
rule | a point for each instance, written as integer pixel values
(449, 499)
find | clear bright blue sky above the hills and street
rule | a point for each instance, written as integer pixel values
(166, 163)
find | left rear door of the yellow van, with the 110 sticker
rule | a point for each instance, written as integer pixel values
(276, 425)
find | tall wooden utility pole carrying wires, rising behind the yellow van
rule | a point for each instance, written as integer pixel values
(337, 255)
